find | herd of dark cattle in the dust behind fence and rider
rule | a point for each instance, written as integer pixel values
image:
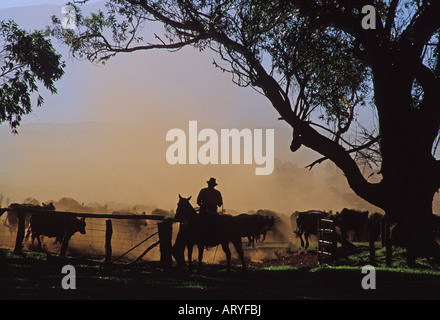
(47, 222)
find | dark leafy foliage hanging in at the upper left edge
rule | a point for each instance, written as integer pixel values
(25, 59)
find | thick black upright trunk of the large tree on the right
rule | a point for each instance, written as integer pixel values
(409, 170)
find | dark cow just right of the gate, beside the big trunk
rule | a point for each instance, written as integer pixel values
(358, 222)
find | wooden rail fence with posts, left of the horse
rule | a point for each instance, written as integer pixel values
(164, 231)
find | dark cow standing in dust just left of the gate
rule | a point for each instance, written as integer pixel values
(307, 223)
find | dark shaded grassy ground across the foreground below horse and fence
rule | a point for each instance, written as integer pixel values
(34, 276)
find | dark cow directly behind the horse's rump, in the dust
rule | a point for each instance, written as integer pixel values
(254, 225)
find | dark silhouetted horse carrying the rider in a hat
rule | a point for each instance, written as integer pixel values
(205, 231)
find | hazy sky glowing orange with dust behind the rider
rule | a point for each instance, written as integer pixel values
(102, 137)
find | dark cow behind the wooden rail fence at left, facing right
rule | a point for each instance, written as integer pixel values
(62, 226)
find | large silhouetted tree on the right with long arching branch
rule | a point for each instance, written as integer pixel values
(317, 65)
